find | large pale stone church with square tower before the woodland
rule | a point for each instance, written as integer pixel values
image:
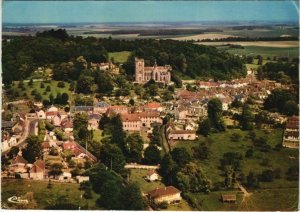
(143, 74)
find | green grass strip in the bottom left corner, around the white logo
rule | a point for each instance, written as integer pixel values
(44, 196)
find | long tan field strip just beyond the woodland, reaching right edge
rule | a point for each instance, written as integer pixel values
(278, 44)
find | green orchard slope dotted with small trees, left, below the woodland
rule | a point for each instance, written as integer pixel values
(36, 85)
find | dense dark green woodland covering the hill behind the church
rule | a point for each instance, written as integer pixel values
(22, 55)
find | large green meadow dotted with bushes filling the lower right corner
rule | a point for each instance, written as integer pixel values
(281, 194)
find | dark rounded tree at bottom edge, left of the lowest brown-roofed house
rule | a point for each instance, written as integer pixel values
(132, 197)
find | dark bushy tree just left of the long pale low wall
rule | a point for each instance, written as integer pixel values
(112, 156)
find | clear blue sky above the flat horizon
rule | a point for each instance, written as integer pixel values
(147, 11)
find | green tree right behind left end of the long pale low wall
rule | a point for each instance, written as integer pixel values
(134, 147)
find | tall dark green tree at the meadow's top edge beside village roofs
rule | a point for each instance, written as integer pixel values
(215, 114)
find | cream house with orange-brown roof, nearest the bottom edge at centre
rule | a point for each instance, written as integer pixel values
(168, 194)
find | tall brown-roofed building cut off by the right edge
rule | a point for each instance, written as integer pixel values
(291, 133)
